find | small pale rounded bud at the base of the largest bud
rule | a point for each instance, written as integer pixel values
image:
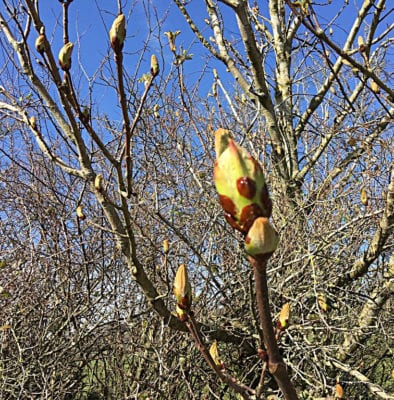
(262, 239)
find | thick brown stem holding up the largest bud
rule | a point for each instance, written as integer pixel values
(276, 365)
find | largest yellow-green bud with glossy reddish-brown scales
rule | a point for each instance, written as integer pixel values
(240, 183)
